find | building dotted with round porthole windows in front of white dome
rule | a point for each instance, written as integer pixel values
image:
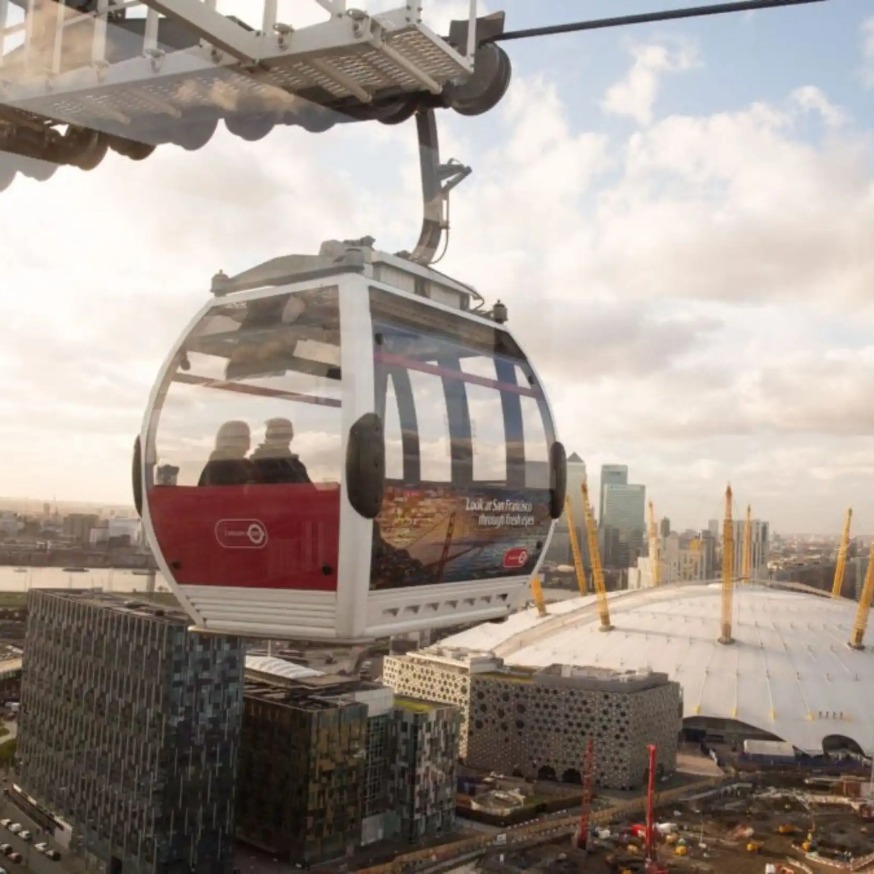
(534, 723)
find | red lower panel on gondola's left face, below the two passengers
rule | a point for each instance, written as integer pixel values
(257, 536)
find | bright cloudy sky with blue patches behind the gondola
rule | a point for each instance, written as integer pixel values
(678, 216)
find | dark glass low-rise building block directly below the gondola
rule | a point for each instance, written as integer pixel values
(329, 764)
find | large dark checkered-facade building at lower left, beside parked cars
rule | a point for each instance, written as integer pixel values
(129, 732)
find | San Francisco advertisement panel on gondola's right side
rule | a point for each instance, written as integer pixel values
(443, 534)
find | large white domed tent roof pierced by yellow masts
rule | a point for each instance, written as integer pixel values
(789, 671)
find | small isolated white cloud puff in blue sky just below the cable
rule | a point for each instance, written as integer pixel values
(635, 95)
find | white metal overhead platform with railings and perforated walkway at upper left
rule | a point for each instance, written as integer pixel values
(120, 61)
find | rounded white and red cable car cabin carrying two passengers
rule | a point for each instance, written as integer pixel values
(339, 447)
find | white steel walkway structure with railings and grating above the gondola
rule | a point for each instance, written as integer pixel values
(351, 56)
